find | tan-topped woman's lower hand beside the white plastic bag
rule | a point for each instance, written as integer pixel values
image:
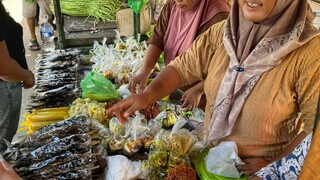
(252, 165)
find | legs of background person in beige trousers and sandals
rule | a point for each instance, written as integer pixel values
(29, 11)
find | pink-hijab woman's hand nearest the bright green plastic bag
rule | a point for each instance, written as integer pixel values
(138, 83)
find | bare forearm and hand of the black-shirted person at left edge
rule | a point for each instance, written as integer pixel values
(11, 71)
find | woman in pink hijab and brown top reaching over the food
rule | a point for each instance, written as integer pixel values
(179, 24)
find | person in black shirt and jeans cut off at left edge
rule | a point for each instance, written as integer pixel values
(14, 74)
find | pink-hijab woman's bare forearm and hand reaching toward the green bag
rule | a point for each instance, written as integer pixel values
(150, 59)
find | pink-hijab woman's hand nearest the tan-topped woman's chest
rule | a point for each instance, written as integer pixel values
(192, 97)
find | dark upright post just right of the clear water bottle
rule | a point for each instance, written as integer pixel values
(59, 24)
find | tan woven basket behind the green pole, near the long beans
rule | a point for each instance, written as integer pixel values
(125, 21)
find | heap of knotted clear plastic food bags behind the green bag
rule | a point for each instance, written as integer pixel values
(119, 61)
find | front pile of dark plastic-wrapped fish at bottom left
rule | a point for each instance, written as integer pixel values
(62, 150)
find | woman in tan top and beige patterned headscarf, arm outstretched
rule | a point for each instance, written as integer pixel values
(261, 73)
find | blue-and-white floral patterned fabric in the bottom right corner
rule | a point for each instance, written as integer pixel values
(288, 167)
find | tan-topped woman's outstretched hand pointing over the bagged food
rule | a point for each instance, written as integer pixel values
(124, 108)
